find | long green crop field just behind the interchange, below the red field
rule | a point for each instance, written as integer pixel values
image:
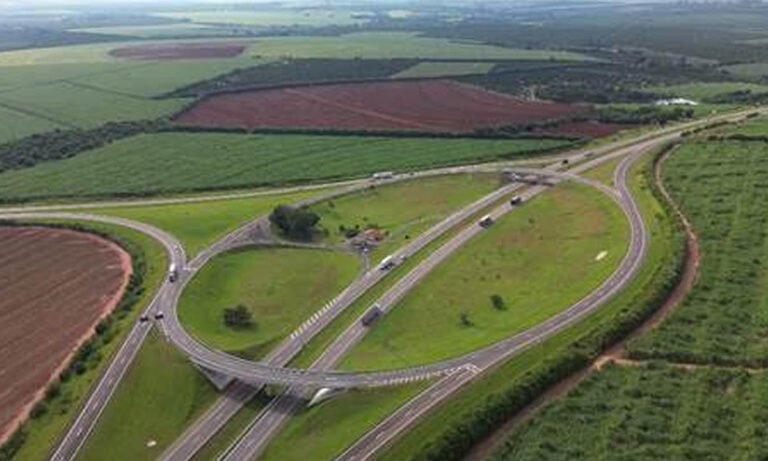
(176, 162)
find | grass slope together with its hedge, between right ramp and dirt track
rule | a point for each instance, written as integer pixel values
(473, 413)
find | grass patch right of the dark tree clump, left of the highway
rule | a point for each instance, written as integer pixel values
(402, 210)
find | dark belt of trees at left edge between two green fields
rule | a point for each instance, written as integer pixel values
(61, 144)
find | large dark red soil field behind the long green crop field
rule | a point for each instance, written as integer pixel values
(433, 106)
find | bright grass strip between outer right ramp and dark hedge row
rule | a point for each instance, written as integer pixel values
(663, 247)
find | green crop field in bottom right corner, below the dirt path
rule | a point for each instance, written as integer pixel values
(648, 413)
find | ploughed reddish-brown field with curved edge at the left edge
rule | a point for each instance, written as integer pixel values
(55, 286)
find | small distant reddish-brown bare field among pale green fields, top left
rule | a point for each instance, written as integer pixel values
(180, 51)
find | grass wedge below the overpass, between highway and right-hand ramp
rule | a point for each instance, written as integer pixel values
(327, 429)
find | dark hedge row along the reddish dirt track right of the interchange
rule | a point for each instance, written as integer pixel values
(457, 439)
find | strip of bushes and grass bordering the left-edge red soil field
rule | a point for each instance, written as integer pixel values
(89, 354)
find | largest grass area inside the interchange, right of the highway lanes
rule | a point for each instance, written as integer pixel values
(571, 237)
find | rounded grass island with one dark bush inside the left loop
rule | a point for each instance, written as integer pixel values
(279, 303)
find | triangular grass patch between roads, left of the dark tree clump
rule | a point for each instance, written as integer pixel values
(199, 224)
